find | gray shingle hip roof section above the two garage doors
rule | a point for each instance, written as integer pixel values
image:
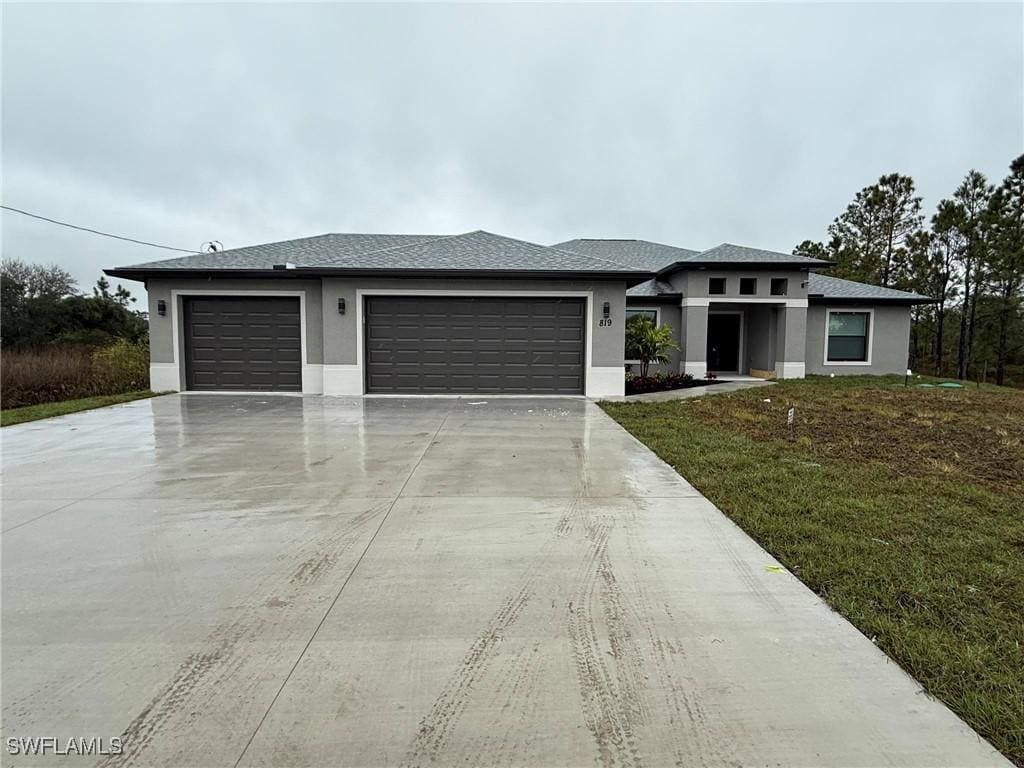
(478, 251)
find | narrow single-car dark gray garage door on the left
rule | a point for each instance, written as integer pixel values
(243, 344)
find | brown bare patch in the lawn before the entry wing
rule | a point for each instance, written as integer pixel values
(971, 434)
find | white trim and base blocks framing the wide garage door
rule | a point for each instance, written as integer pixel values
(353, 381)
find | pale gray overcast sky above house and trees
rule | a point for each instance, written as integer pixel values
(687, 124)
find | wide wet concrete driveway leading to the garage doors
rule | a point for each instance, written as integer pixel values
(227, 581)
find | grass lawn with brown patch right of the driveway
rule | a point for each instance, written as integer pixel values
(903, 507)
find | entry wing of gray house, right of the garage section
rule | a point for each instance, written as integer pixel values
(745, 311)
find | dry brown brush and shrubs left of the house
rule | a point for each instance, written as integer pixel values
(34, 377)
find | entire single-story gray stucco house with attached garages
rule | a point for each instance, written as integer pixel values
(355, 315)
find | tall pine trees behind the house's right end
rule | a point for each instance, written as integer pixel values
(969, 258)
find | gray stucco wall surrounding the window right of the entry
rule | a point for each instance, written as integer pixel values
(890, 340)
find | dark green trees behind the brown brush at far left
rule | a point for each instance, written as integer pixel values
(40, 308)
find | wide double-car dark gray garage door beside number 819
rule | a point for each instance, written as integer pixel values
(513, 346)
